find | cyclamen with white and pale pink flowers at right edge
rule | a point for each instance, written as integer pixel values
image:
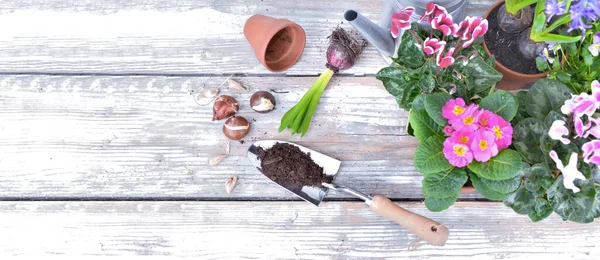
(557, 134)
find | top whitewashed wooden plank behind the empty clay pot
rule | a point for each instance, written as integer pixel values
(165, 36)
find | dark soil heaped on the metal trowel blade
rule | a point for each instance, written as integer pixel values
(287, 165)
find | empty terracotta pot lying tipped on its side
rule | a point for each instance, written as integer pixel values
(277, 43)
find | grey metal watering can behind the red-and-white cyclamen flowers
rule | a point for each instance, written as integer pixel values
(379, 34)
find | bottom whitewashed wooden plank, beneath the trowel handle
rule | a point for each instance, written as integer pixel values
(280, 230)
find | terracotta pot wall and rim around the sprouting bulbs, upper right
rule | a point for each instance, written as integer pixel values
(511, 80)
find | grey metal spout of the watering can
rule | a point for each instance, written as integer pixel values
(376, 35)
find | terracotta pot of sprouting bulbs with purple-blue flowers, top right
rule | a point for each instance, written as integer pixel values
(518, 42)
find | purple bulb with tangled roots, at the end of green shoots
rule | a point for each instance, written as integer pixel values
(344, 48)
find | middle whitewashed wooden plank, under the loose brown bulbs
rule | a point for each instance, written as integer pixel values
(135, 137)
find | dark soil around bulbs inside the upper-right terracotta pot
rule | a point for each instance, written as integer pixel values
(504, 47)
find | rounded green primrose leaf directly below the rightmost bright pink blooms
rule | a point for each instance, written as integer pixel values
(505, 165)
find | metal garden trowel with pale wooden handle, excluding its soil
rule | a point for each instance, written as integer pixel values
(425, 228)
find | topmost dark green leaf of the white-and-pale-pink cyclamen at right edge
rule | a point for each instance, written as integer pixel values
(546, 95)
